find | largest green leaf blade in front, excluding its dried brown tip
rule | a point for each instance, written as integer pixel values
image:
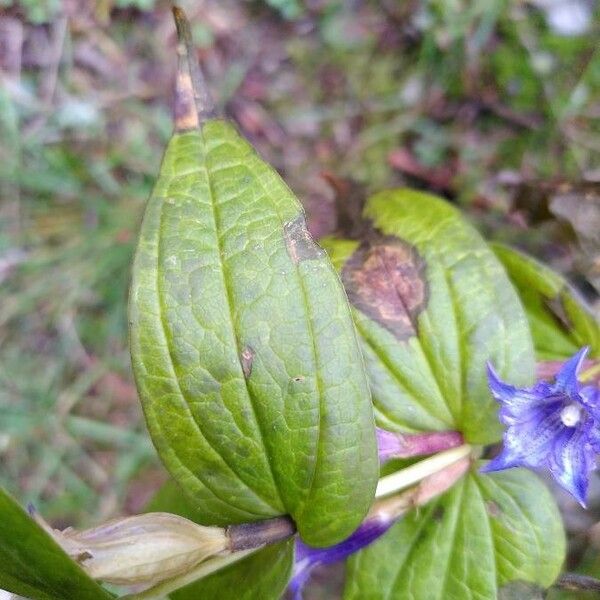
(243, 346)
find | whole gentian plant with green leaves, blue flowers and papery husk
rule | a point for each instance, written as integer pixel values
(320, 405)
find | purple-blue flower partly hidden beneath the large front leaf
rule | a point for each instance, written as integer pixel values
(308, 558)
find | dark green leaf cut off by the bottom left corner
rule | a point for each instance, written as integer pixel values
(33, 565)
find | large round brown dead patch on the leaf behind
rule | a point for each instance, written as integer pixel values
(385, 280)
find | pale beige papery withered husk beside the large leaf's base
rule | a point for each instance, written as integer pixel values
(142, 549)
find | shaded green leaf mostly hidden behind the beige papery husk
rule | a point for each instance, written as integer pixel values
(263, 574)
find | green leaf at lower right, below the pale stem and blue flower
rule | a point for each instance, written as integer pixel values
(485, 533)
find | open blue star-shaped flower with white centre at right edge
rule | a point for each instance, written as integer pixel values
(555, 426)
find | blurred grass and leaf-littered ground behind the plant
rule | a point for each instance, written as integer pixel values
(494, 104)
